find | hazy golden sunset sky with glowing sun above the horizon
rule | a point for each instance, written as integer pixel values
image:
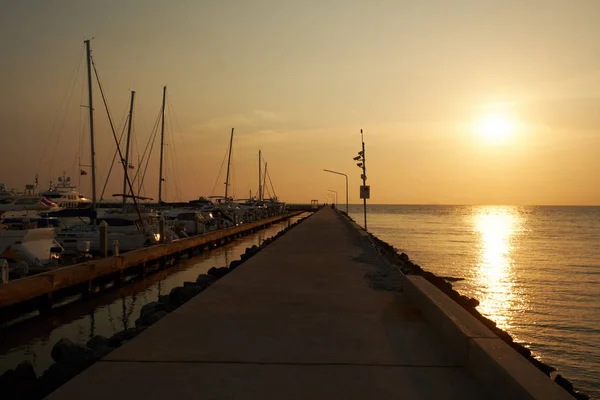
(461, 102)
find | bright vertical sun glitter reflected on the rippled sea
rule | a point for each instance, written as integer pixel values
(496, 228)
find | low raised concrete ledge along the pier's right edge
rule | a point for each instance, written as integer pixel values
(508, 374)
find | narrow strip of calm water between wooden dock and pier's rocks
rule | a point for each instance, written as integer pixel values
(114, 310)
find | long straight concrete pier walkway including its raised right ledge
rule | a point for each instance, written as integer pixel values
(318, 313)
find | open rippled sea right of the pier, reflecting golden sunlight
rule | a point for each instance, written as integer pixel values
(535, 271)
